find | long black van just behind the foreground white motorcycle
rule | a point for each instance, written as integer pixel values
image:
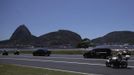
(98, 53)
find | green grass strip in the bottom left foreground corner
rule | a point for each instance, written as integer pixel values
(6, 69)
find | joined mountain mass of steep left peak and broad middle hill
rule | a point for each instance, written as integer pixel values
(58, 39)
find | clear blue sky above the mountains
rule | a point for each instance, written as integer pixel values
(89, 18)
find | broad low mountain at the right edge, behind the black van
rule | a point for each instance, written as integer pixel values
(116, 37)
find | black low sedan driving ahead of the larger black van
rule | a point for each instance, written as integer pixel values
(41, 52)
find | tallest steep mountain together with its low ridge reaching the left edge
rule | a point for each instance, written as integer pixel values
(21, 36)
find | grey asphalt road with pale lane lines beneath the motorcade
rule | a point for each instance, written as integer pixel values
(68, 62)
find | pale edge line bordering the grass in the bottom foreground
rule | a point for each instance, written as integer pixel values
(59, 70)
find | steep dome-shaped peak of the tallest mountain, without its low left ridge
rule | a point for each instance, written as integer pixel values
(22, 36)
